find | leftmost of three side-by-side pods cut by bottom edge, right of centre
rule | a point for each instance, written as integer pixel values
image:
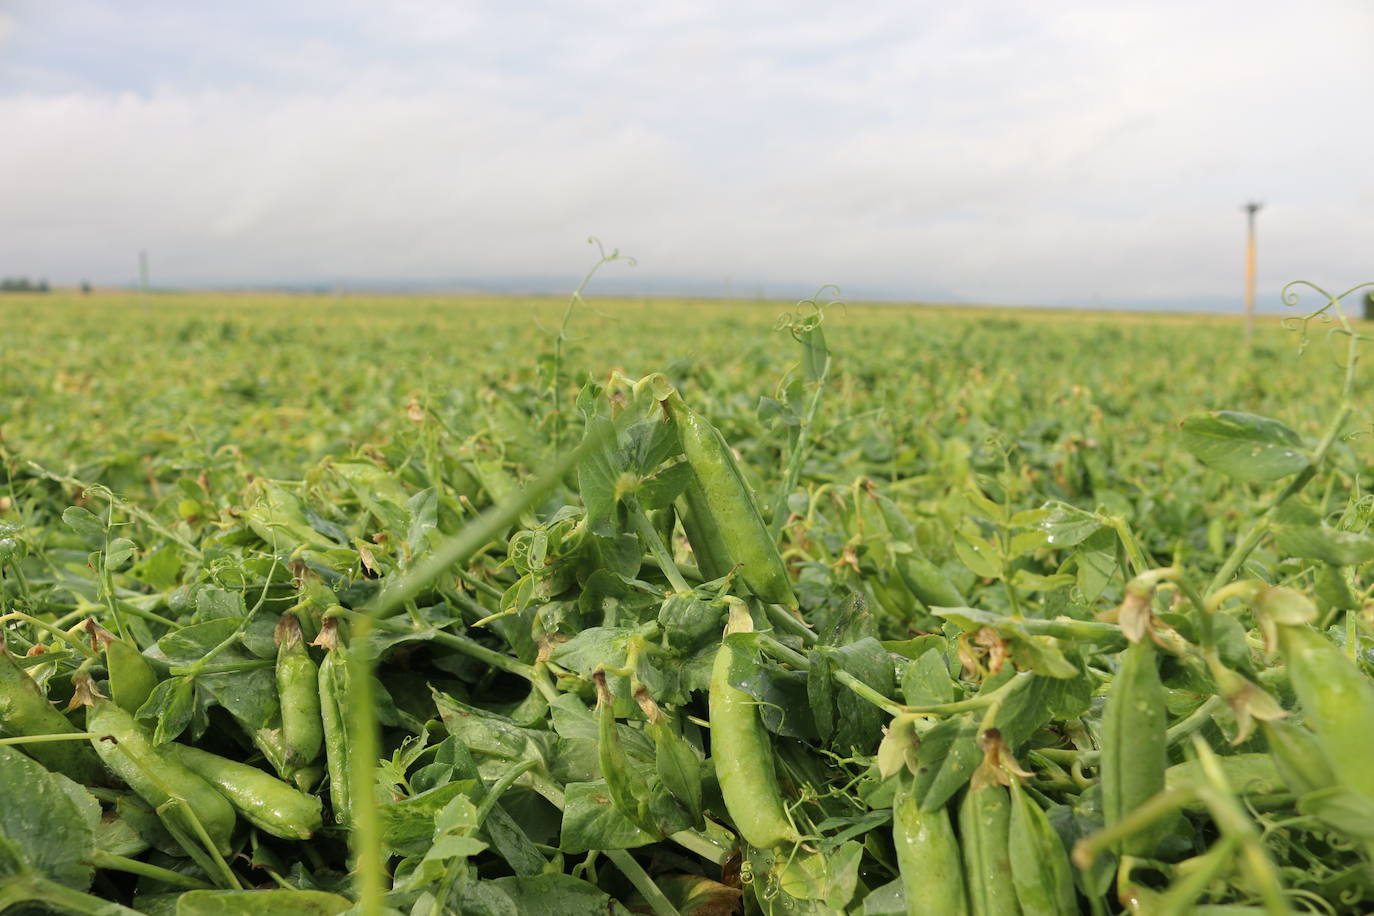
(928, 858)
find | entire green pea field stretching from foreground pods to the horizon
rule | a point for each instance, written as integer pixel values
(515, 605)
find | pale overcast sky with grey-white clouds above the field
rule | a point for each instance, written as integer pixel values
(1066, 152)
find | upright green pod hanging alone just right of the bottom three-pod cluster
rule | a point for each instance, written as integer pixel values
(1134, 744)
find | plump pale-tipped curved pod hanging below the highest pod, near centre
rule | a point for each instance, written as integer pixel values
(743, 753)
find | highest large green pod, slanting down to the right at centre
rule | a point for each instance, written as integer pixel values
(743, 531)
